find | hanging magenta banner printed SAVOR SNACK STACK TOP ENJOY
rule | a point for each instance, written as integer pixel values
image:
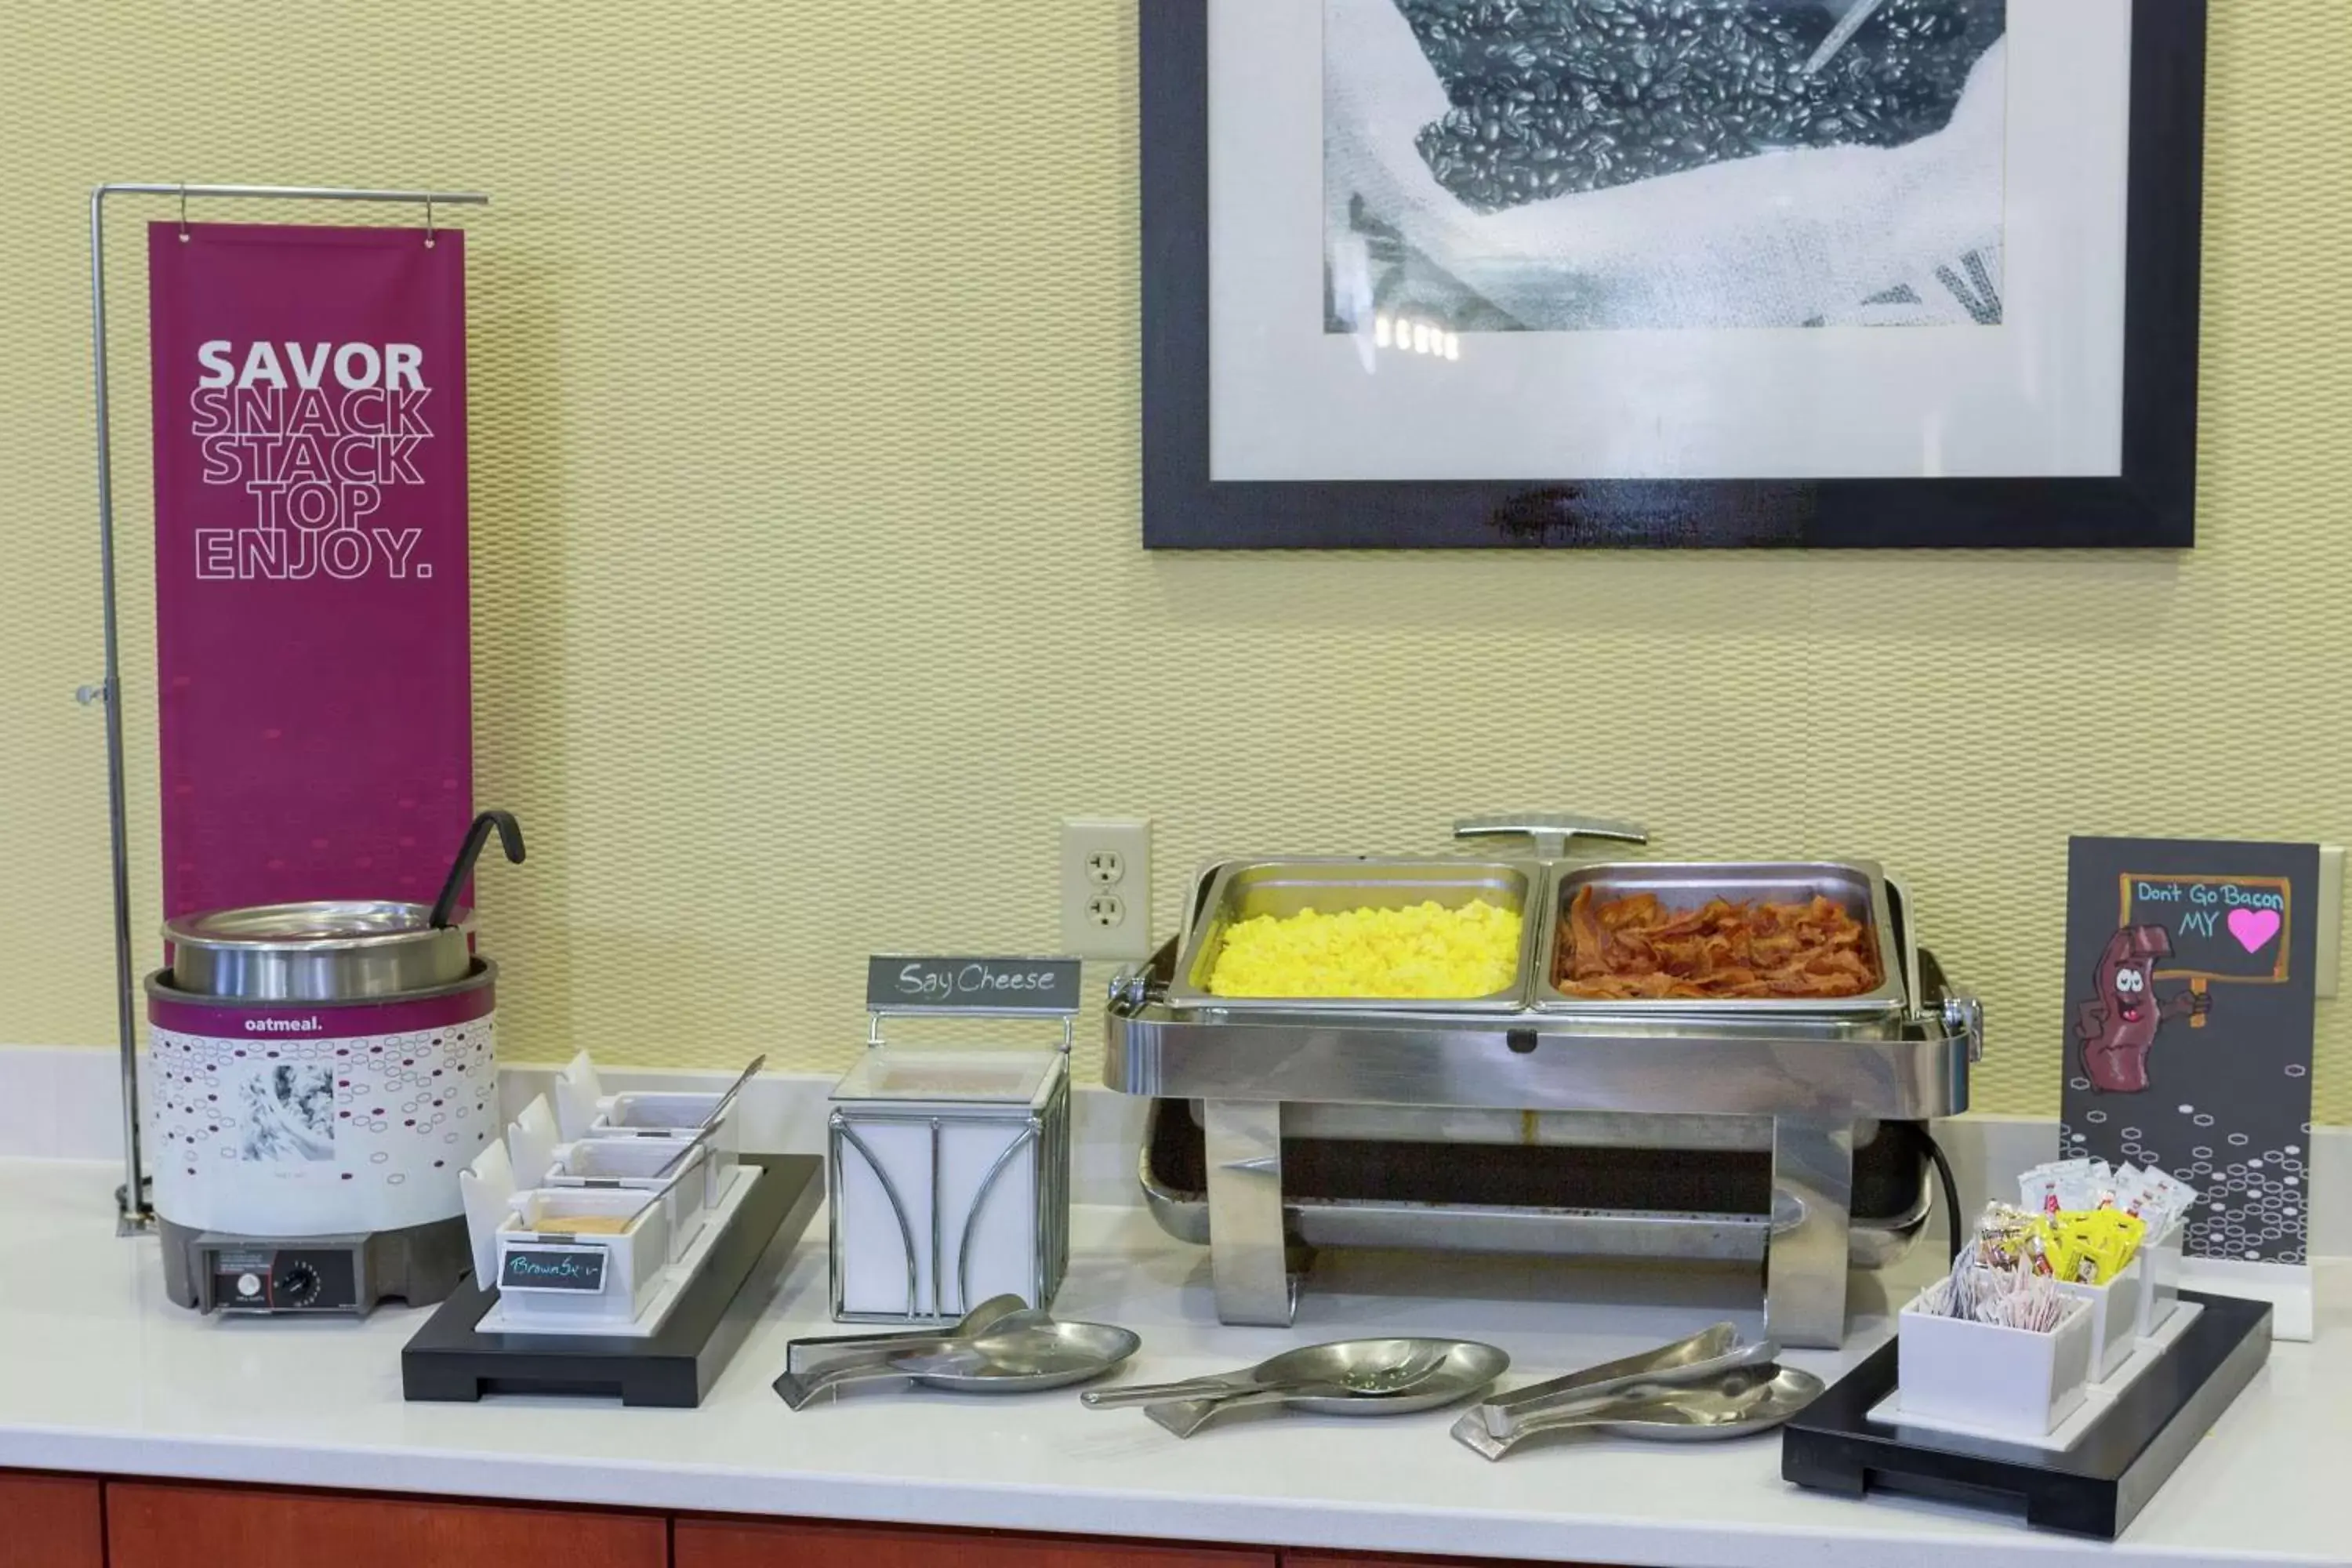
(312, 624)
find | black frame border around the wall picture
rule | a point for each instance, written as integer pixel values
(2153, 504)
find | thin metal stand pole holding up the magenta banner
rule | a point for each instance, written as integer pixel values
(133, 1212)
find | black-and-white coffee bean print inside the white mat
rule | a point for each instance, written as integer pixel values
(1558, 166)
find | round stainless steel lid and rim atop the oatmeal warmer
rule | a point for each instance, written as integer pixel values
(328, 951)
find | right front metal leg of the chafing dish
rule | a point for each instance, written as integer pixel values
(1812, 1209)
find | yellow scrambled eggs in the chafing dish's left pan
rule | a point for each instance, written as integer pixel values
(1424, 951)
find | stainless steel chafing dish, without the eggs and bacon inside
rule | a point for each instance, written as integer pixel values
(1782, 1132)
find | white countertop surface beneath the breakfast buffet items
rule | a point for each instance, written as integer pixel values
(100, 1374)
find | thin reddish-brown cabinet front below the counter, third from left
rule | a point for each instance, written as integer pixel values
(744, 1543)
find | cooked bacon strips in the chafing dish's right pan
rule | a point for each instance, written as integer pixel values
(1633, 949)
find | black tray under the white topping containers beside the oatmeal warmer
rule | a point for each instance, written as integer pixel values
(674, 1367)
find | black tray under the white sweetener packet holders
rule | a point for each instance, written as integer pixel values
(2092, 1489)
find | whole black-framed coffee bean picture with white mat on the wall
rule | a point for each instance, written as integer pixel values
(1436, 274)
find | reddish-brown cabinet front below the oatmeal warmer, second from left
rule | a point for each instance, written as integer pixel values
(171, 1527)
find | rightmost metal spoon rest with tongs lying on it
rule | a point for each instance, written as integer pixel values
(1702, 1388)
